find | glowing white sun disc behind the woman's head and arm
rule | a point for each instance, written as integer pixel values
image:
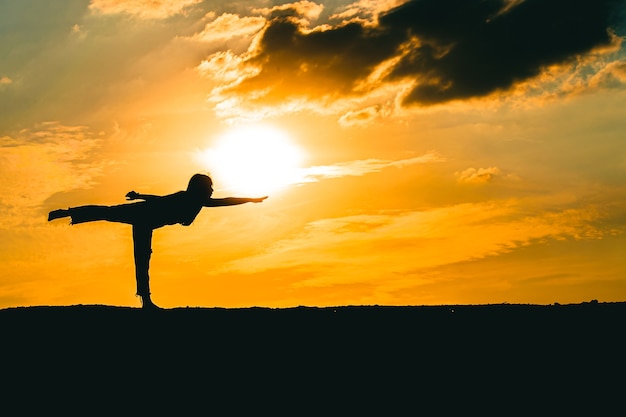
(253, 160)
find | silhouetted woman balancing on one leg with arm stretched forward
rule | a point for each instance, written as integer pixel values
(154, 212)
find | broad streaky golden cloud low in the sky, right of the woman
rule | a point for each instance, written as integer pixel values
(387, 246)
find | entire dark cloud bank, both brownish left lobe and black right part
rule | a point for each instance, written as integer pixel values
(453, 49)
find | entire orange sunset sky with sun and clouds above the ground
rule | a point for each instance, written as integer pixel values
(419, 152)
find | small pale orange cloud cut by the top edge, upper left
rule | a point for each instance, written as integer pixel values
(144, 9)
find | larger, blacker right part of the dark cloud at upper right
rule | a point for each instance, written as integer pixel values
(489, 50)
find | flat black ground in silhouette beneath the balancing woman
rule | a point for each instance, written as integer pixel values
(444, 360)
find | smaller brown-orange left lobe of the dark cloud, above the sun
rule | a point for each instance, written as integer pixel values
(326, 62)
